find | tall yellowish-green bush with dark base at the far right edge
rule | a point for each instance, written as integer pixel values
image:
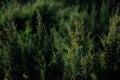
(112, 47)
